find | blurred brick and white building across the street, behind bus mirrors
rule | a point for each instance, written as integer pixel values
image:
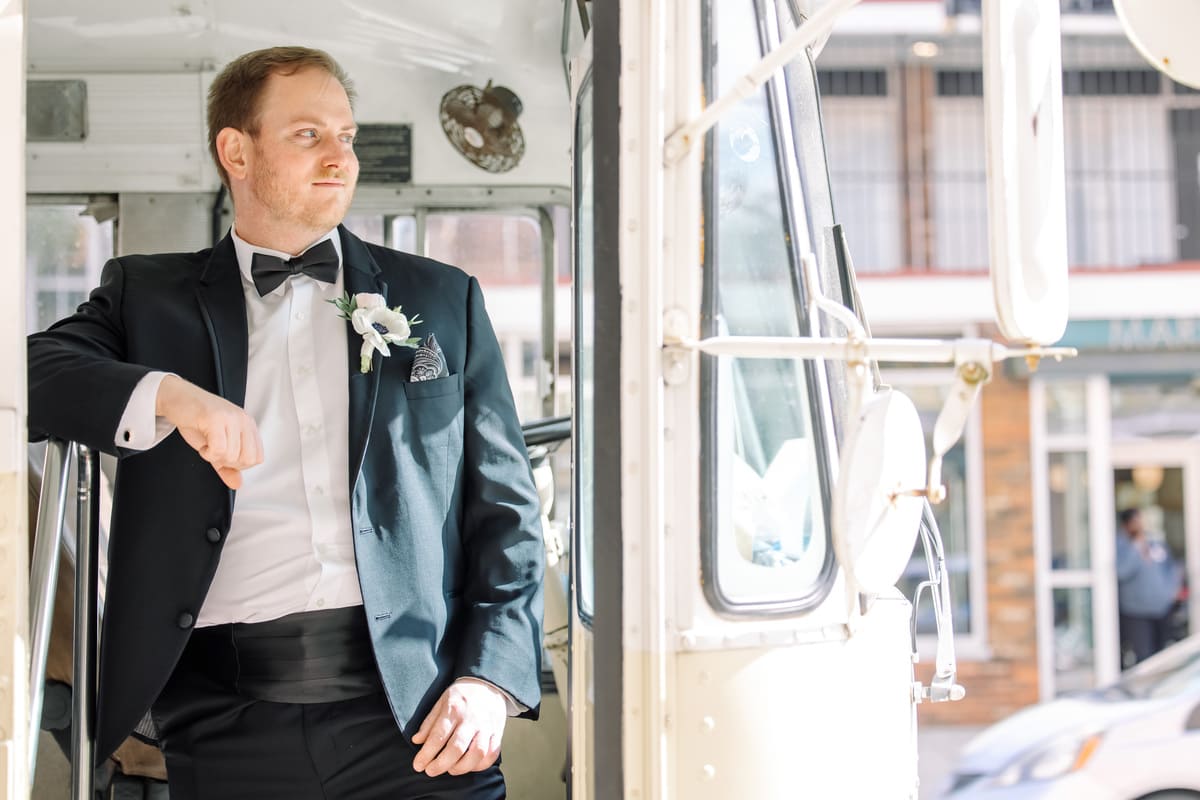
(1042, 472)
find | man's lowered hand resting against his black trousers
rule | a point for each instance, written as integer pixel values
(463, 733)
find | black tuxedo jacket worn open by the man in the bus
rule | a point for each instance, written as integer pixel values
(445, 513)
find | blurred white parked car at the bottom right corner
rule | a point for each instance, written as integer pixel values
(1138, 739)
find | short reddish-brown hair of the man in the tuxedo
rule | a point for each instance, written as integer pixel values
(235, 97)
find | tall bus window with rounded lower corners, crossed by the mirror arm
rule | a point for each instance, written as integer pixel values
(766, 533)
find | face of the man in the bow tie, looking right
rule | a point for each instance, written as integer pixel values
(302, 164)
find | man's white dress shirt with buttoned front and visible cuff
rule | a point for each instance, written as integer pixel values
(290, 546)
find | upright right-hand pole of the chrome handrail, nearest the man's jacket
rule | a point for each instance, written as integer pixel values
(85, 690)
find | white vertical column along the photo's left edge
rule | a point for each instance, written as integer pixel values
(14, 534)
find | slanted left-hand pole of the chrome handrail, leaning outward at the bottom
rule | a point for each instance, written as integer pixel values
(44, 579)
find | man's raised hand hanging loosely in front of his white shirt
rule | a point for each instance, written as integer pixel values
(224, 435)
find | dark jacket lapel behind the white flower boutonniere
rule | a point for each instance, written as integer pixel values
(362, 274)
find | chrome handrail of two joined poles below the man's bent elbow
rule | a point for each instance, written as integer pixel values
(44, 580)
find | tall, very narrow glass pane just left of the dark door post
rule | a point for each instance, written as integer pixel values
(585, 362)
